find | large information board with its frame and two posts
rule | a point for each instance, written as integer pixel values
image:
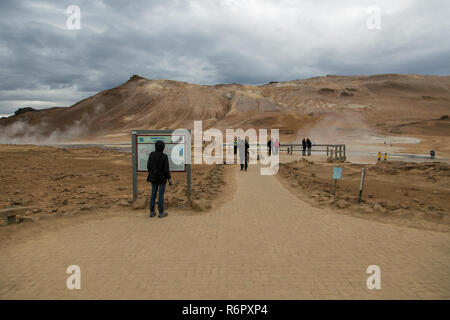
(178, 150)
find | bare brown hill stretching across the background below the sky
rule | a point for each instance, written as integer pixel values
(388, 102)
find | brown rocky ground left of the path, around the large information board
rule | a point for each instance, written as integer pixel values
(38, 182)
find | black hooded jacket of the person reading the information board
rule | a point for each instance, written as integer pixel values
(158, 165)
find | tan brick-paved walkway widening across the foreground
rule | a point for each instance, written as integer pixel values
(264, 244)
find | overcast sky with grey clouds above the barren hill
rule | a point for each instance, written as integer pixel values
(45, 62)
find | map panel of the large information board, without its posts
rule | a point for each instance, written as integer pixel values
(175, 148)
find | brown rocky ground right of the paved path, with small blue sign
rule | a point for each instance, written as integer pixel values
(413, 194)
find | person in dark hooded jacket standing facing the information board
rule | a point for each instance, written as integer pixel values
(158, 175)
